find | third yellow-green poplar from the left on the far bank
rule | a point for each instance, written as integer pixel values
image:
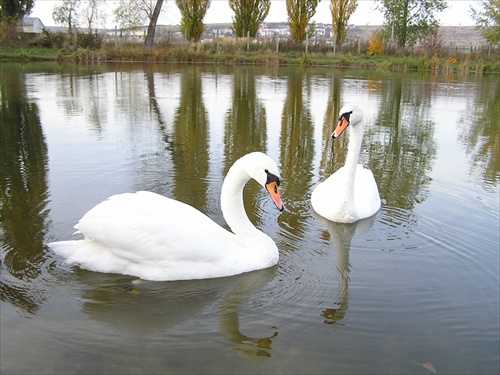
(300, 13)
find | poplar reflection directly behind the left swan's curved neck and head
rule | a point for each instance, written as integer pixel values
(245, 131)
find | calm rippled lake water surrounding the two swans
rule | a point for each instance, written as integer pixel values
(416, 284)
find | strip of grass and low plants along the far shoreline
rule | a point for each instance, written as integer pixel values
(240, 52)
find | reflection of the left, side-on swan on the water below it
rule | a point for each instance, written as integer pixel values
(147, 308)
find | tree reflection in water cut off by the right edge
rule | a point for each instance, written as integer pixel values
(481, 134)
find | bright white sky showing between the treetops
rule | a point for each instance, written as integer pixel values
(457, 13)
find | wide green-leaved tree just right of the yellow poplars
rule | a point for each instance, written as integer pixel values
(410, 20)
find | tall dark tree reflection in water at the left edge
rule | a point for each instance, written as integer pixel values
(24, 192)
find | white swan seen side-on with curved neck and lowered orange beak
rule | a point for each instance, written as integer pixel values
(152, 237)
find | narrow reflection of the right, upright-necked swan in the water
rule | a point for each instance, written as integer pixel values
(341, 234)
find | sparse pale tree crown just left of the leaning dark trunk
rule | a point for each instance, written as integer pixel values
(133, 14)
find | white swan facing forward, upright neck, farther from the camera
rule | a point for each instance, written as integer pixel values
(351, 193)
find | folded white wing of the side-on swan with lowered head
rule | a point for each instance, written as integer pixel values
(144, 226)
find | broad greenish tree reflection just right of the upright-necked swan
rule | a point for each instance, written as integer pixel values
(400, 149)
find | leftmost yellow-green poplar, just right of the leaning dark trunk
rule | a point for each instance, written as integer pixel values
(192, 14)
